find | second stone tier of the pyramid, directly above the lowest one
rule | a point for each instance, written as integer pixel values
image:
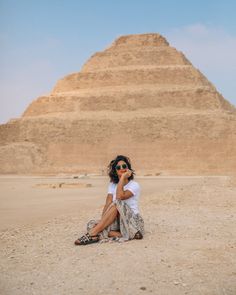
(128, 99)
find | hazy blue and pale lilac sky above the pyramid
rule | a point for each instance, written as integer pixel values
(41, 41)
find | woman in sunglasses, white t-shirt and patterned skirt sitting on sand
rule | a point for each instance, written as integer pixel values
(120, 217)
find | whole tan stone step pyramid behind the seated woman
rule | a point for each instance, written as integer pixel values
(139, 97)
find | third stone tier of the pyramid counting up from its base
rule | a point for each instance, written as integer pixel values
(135, 75)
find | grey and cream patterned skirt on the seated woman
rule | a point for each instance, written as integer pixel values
(127, 222)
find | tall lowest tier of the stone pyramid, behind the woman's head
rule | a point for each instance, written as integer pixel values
(173, 142)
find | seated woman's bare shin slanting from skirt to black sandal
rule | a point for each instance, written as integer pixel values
(106, 220)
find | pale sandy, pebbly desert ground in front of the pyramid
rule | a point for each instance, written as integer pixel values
(189, 246)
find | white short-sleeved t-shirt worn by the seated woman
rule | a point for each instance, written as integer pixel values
(132, 186)
